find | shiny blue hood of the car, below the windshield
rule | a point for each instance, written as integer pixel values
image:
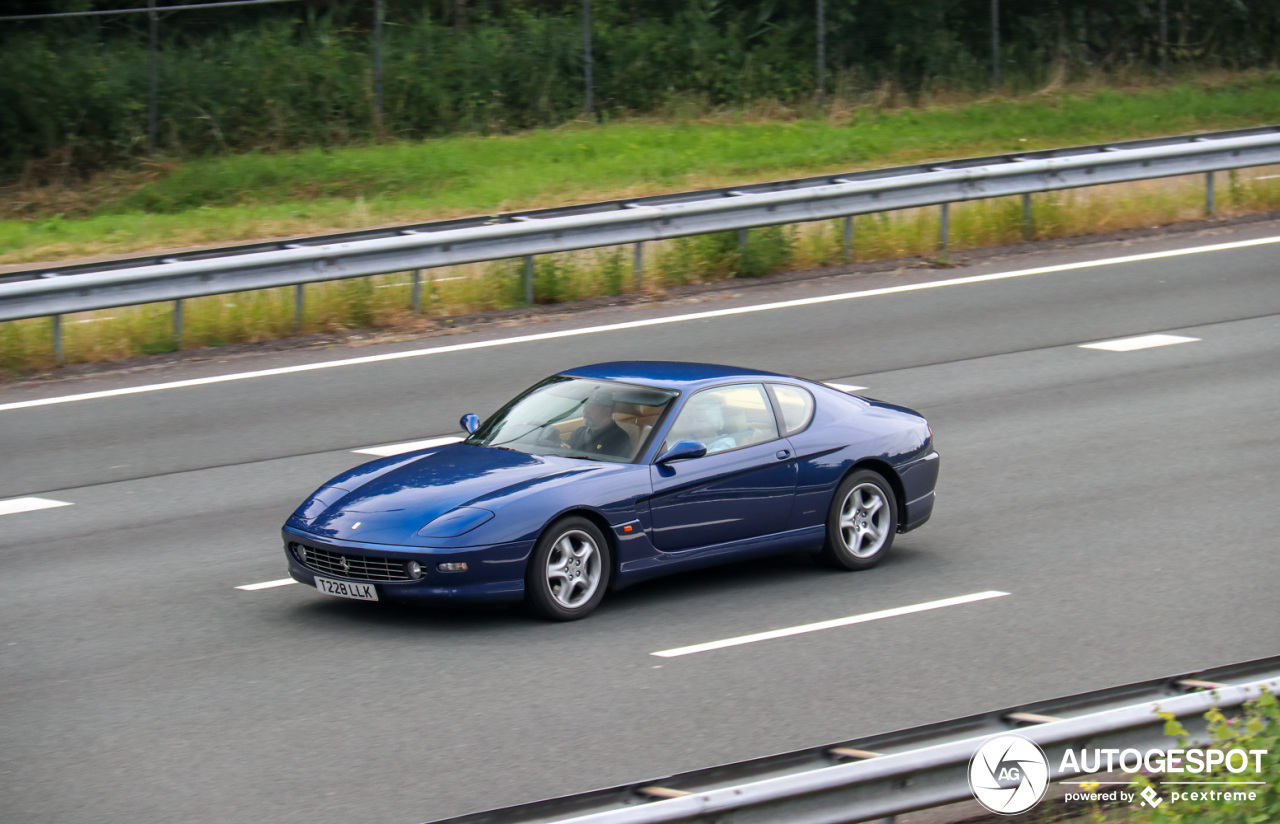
(388, 502)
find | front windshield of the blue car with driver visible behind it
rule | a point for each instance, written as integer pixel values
(601, 420)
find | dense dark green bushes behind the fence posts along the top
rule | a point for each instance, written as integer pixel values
(298, 75)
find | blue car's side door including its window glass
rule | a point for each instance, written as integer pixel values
(742, 488)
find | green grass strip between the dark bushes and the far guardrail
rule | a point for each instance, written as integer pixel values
(273, 195)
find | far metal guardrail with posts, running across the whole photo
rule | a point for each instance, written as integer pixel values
(54, 292)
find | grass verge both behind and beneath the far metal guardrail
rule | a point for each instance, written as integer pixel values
(254, 196)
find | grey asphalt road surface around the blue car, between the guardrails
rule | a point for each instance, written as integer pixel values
(1126, 501)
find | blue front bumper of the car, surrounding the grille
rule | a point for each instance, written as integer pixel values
(495, 574)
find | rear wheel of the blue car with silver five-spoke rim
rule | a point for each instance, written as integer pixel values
(861, 523)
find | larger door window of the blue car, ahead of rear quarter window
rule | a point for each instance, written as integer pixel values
(726, 419)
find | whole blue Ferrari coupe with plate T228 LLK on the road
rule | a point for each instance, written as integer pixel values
(607, 475)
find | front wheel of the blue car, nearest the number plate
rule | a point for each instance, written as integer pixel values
(569, 571)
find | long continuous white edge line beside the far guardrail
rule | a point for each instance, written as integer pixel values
(639, 324)
